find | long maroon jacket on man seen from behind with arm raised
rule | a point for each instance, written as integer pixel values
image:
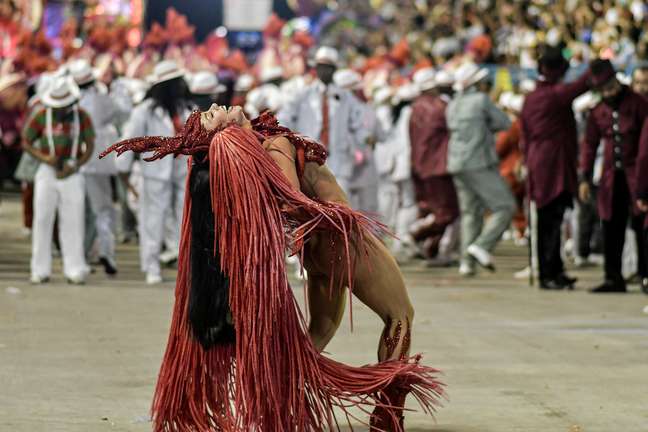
(550, 140)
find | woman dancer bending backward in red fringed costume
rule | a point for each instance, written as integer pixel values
(239, 357)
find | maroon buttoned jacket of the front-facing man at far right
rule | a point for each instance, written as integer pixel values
(633, 112)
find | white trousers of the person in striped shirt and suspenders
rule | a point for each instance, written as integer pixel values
(67, 197)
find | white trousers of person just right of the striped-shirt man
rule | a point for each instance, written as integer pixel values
(100, 197)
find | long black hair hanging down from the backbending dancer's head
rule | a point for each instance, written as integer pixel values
(210, 318)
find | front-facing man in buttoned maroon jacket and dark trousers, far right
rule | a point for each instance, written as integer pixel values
(619, 121)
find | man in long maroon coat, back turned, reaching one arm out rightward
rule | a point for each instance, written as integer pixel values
(550, 146)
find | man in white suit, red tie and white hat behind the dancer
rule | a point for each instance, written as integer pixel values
(329, 114)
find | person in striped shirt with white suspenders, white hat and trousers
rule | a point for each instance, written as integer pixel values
(60, 135)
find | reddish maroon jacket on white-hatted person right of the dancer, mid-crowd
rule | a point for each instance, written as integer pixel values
(429, 137)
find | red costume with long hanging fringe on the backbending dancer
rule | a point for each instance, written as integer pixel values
(272, 378)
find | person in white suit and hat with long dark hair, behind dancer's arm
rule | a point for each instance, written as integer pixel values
(162, 113)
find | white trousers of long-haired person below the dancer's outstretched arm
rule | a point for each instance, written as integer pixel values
(159, 200)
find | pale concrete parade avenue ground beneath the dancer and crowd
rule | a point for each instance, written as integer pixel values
(85, 358)
